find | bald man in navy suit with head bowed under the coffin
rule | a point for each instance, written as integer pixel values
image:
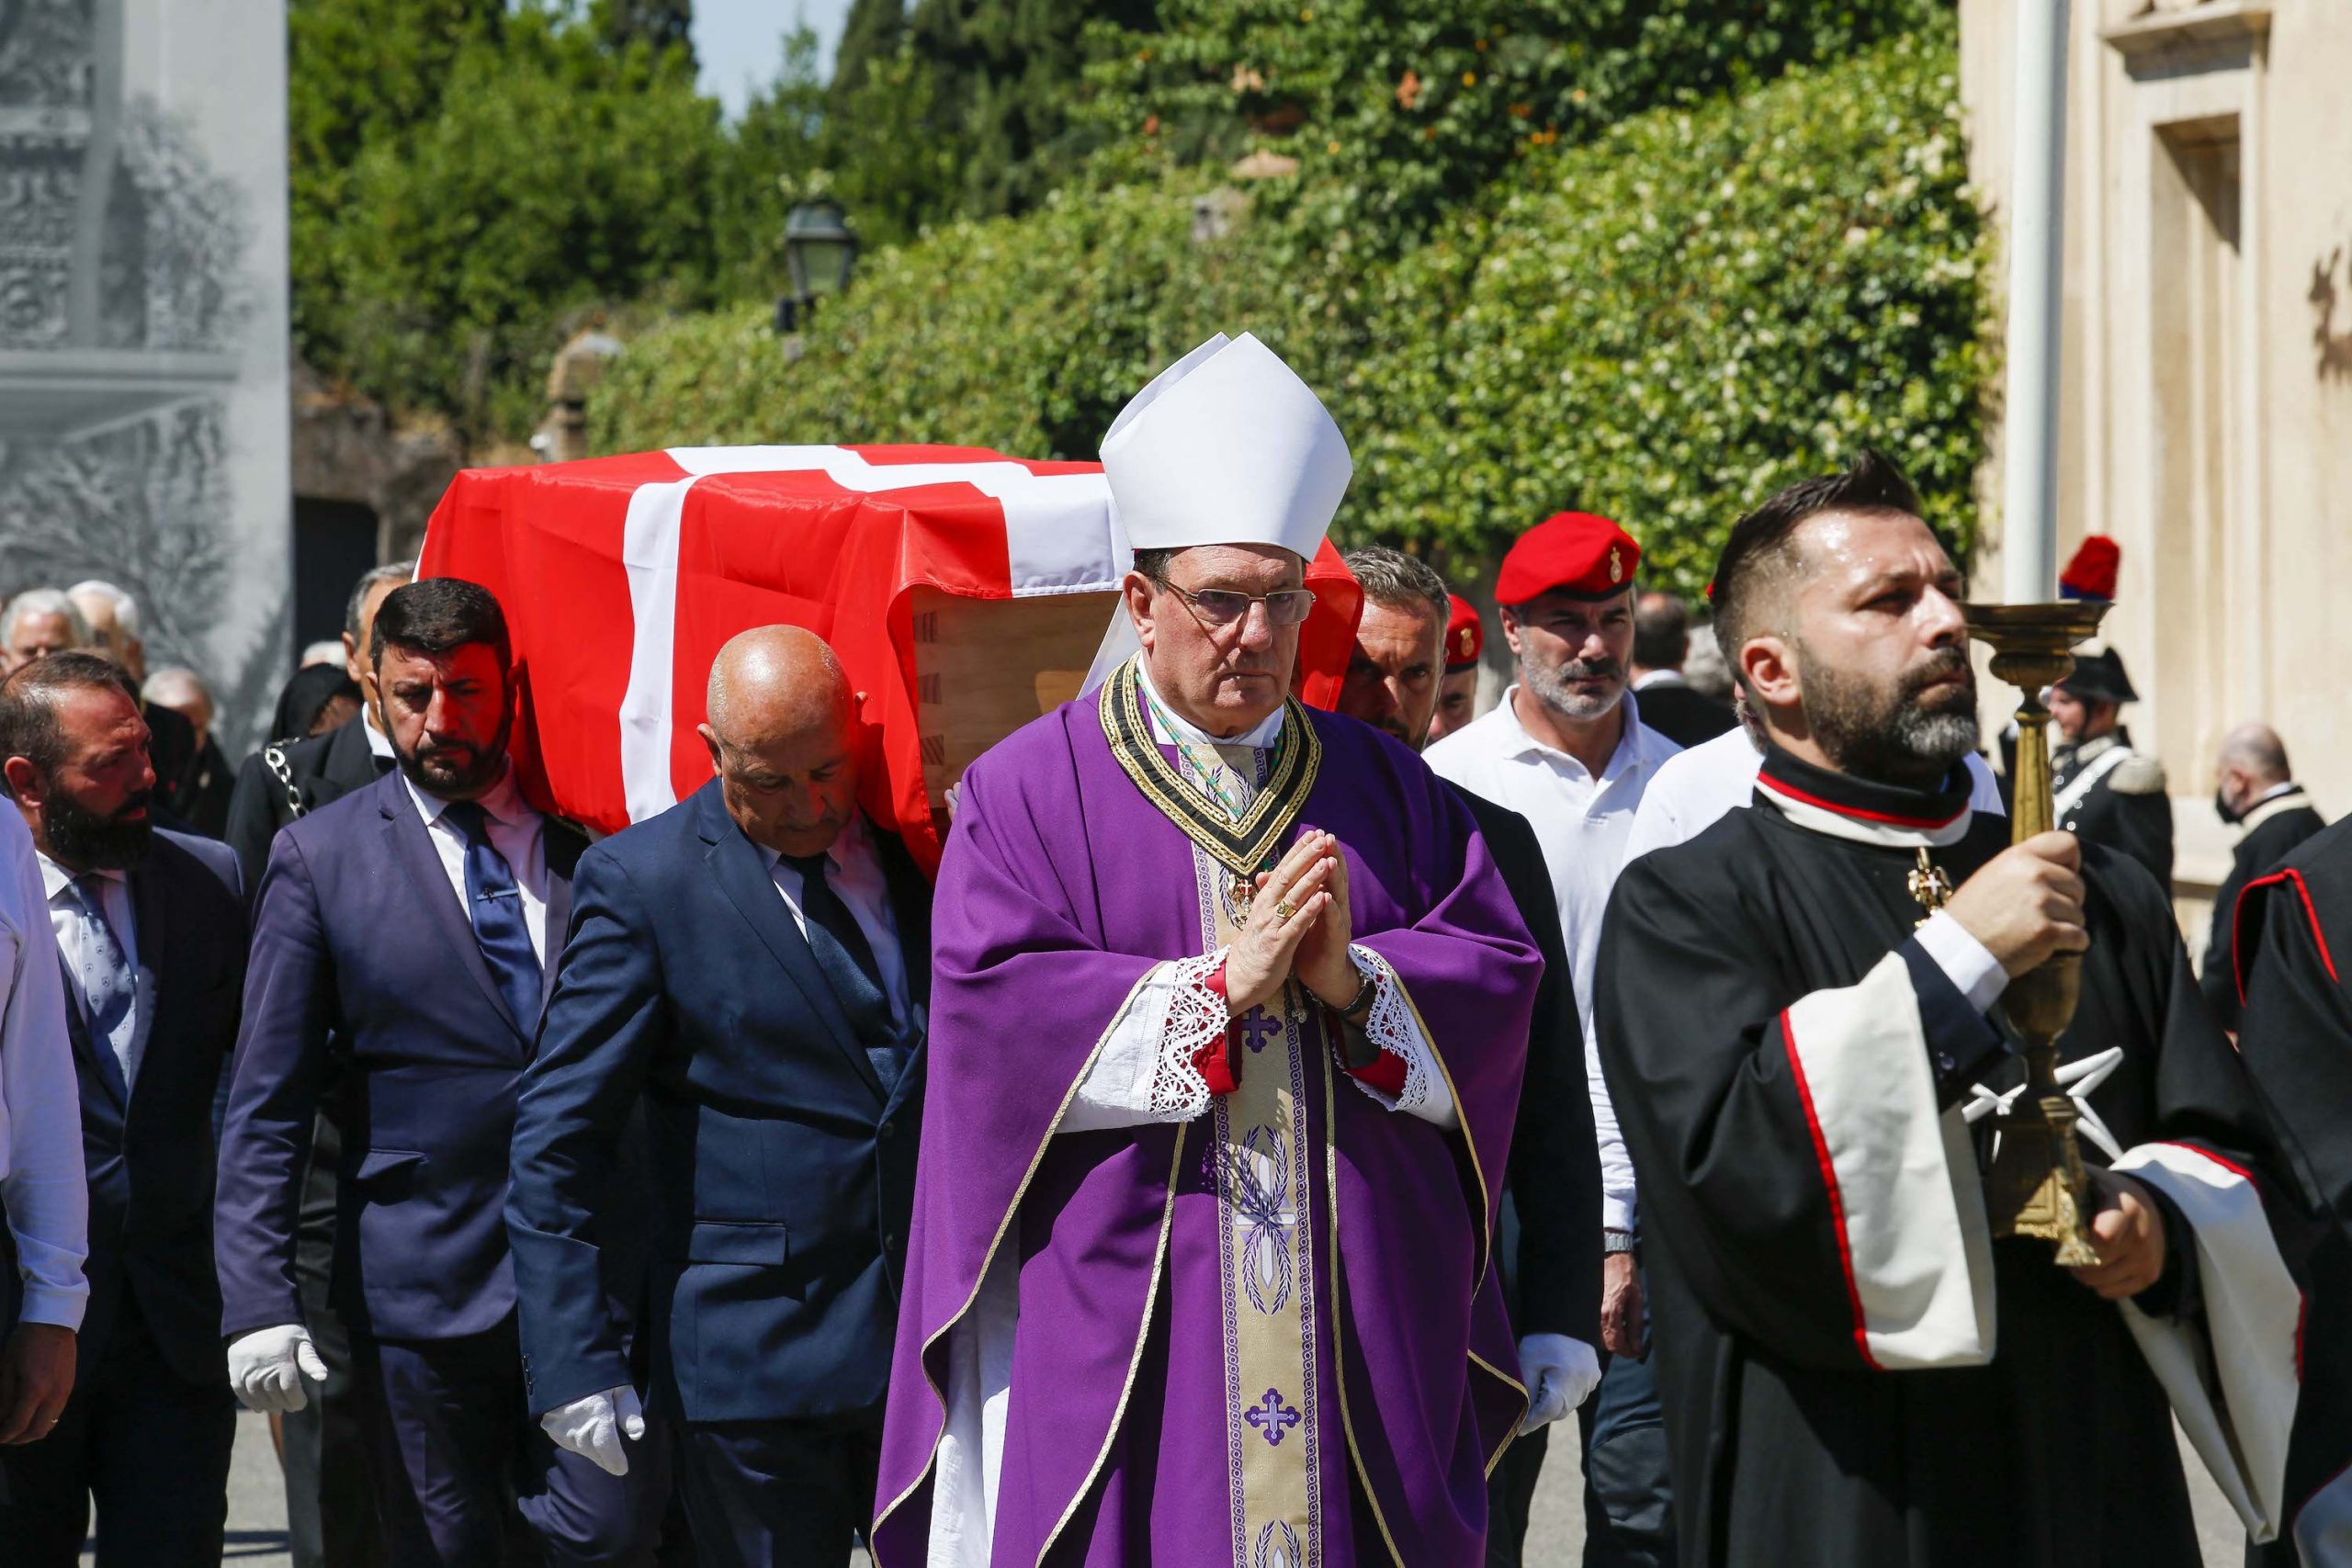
(754, 967)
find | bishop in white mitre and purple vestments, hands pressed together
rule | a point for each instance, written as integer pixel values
(1229, 1021)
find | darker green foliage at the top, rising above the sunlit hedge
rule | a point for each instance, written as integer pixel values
(1403, 109)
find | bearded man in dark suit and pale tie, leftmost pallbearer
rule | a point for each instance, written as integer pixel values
(149, 934)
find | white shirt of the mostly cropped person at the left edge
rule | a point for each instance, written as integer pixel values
(41, 1111)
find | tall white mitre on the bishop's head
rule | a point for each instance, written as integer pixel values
(1227, 448)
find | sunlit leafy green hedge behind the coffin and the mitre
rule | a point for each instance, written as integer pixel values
(1664, 323)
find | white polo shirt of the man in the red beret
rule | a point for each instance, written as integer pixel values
(1582, 824)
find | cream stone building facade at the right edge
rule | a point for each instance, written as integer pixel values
(2207, 368)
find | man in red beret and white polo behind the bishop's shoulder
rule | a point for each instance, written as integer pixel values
(1568, 751)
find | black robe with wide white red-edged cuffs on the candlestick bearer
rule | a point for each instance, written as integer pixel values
(1855, 1372)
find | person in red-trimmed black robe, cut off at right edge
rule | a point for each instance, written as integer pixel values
(2292, 946)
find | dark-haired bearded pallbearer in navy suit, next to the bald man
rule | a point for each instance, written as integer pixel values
(410, 923)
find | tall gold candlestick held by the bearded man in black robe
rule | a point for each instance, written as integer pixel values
(2038, 1186)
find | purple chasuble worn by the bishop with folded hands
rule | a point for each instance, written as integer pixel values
(1062, 887)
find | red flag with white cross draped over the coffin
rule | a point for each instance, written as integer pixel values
(622, 577)
